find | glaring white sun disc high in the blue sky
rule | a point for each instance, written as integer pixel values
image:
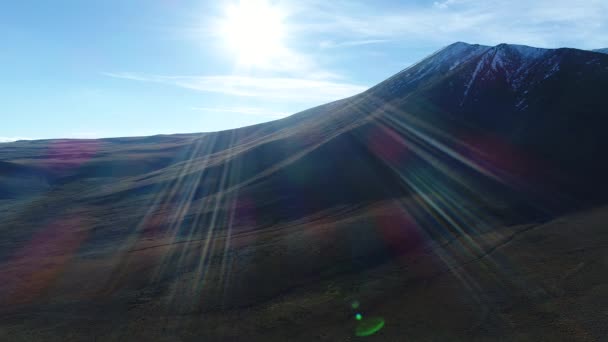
(254, 30)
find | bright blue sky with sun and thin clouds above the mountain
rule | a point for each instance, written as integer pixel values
(90, 69)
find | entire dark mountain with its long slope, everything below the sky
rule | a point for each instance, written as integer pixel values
(467, 188)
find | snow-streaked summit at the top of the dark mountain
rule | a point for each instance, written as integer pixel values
(473, 69)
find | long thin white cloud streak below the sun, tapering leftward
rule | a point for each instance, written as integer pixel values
(275, 88)
